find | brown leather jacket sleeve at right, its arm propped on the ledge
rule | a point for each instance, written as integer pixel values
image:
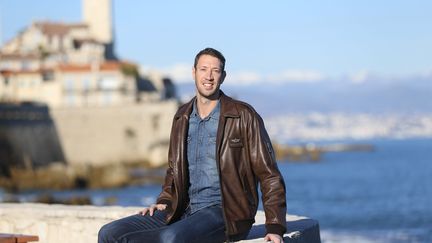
(272, 184)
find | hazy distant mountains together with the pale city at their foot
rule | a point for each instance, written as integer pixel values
(334, 110)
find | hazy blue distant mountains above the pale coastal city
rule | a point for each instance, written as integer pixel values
(374, 97)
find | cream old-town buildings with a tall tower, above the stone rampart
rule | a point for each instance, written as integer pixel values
(73, 64)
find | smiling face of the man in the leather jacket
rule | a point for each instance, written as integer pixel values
(208, 76)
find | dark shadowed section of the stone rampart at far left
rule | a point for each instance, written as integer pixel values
(28, 137)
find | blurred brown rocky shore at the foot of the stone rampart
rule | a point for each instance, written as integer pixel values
(59, 176)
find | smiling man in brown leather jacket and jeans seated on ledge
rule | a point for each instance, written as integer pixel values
(219, 152)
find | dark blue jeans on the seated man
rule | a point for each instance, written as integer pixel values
(206, 225)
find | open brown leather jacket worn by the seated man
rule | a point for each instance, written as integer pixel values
(244, 158)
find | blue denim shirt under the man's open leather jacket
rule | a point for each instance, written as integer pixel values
(204, 190)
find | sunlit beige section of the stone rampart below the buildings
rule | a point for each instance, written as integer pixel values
(99, 135)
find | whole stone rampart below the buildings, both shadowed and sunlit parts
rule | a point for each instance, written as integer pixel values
(33, 135)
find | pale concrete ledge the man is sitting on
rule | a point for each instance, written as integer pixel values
(70, 224)
